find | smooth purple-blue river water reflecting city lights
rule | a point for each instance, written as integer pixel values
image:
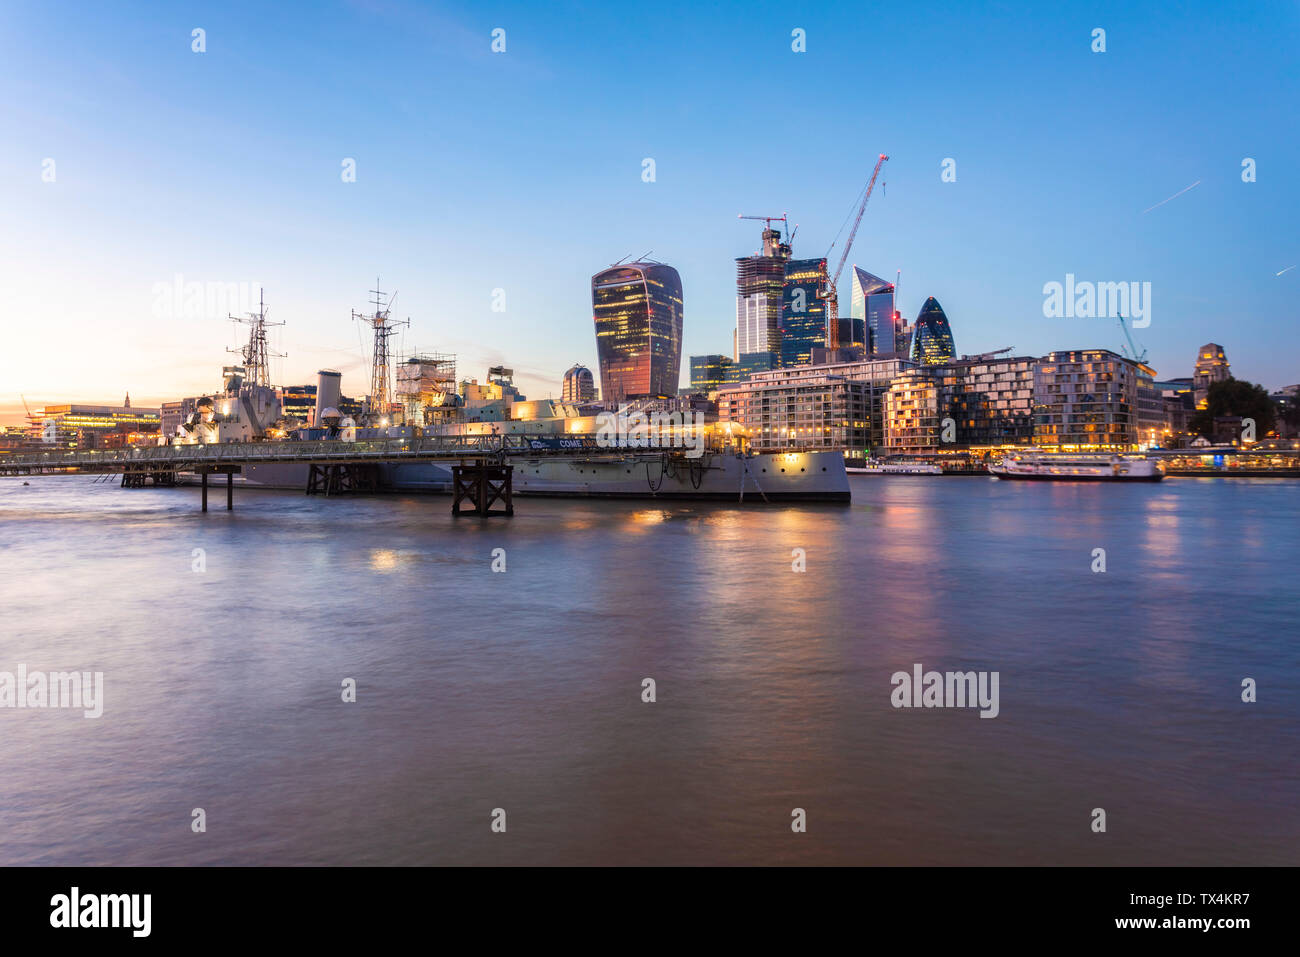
(226, 639)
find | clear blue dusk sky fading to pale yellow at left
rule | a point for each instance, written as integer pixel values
(131, 163)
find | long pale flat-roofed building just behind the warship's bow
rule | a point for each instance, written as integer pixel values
(838, 406)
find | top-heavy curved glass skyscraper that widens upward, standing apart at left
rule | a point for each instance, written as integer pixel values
(638, 311)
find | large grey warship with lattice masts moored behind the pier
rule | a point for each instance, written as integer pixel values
(638, 452)
